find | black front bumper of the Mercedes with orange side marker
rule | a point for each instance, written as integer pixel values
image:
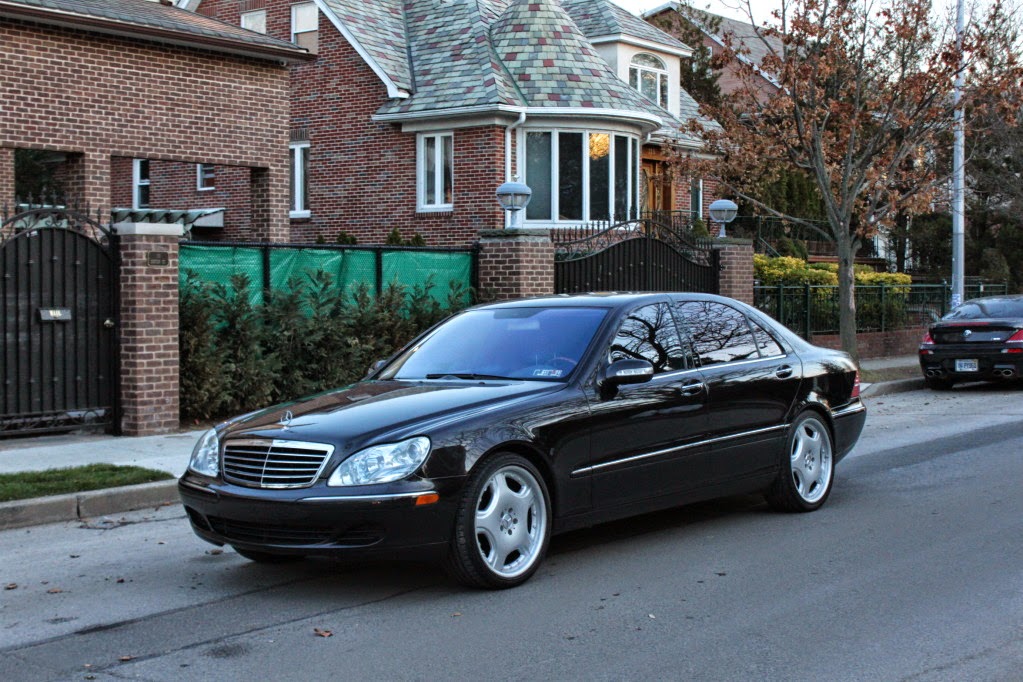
(320, 521)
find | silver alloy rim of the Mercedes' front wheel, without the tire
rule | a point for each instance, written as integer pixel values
(511, 522)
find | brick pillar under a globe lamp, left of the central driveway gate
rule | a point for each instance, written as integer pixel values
(517, 263)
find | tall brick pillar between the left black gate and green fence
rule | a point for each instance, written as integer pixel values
(149, 328)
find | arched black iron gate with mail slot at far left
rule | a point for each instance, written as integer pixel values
(59, 299)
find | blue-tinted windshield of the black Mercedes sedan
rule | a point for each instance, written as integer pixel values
(539, 344)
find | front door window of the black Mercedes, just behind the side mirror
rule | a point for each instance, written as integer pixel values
(650, 334)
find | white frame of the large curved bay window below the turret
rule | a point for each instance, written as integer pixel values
(633, 174)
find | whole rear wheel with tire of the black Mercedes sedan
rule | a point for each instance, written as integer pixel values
(808, 472)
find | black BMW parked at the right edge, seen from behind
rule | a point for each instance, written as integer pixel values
(983, 340)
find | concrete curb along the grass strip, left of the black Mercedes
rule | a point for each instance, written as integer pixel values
(77, 507)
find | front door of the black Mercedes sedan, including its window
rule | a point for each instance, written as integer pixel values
(642, 435)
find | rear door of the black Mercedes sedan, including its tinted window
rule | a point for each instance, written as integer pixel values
(751, 384)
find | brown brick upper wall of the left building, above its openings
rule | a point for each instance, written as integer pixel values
(101, 97)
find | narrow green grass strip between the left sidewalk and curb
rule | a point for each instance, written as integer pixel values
(26, 485)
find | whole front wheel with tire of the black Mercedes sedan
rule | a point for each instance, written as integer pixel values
(503, 525)
